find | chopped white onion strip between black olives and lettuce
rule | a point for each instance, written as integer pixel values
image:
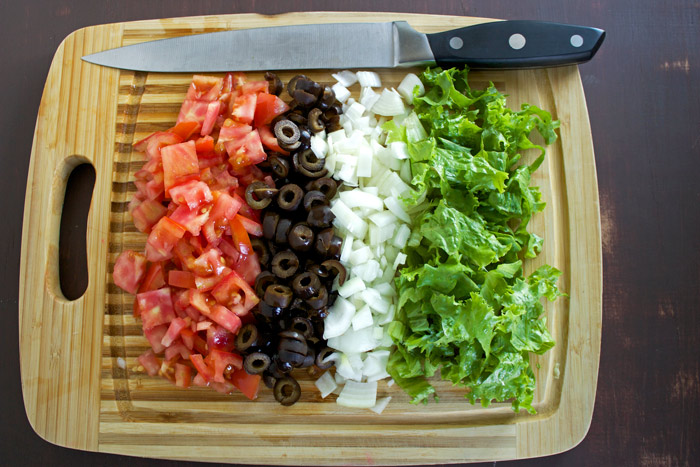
(375, 227)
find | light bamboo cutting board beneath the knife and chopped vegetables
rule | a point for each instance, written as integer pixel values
(77, 394)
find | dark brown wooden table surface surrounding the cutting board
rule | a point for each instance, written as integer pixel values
(643, 93)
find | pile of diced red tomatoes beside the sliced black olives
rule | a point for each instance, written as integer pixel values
(193, 282)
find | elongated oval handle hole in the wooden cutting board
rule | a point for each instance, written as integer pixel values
(72, 247)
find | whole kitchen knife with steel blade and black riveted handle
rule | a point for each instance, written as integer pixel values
(499, 44)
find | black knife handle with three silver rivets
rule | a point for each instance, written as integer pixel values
(515, 44)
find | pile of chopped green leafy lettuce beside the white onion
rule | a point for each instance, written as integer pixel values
(465, 307)
